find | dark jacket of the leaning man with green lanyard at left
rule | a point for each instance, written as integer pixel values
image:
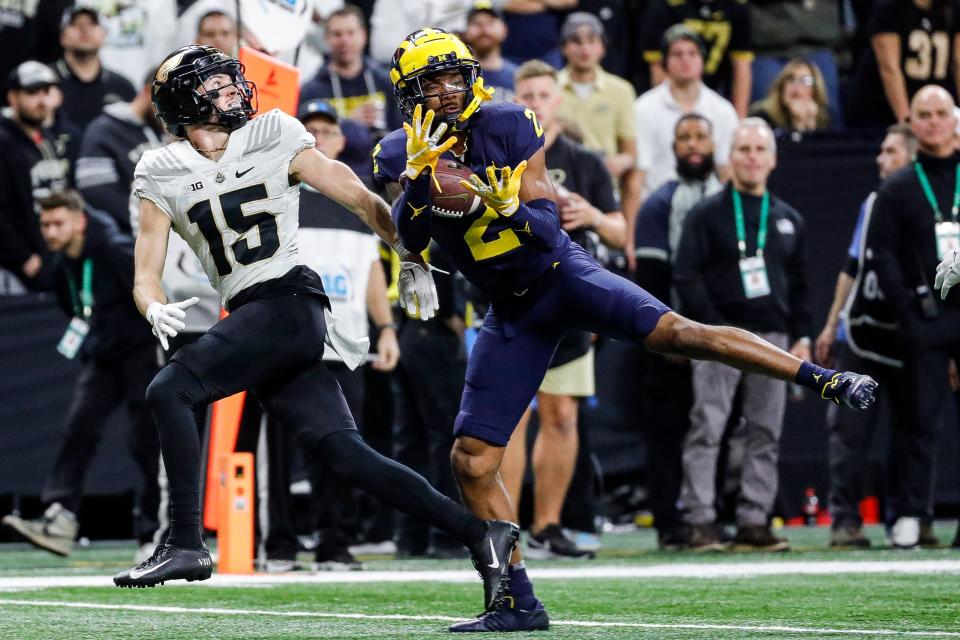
(116, 327)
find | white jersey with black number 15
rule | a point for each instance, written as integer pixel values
(239, 214)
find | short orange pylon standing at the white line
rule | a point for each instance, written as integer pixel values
(235, 530)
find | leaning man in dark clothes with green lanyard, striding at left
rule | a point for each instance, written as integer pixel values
(93, 277)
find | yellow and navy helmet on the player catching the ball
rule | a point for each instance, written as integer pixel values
(425, 53)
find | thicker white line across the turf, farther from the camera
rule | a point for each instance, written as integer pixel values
(697, 571)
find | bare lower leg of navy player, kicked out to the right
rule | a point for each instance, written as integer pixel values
(676, 335)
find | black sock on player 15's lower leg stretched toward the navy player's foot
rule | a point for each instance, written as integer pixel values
(347, 455)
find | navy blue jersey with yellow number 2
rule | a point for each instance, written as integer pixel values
(491, 254)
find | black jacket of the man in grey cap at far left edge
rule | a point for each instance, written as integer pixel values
(28, 171)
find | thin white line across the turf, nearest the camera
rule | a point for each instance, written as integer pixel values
(569, 623)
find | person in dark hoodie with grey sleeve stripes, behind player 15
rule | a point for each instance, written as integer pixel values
(110, 149)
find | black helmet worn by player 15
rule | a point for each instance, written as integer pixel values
(180, 99)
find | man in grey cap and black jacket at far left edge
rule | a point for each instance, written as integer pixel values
(30, 168)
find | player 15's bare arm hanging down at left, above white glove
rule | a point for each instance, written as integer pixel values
(150, 254)
